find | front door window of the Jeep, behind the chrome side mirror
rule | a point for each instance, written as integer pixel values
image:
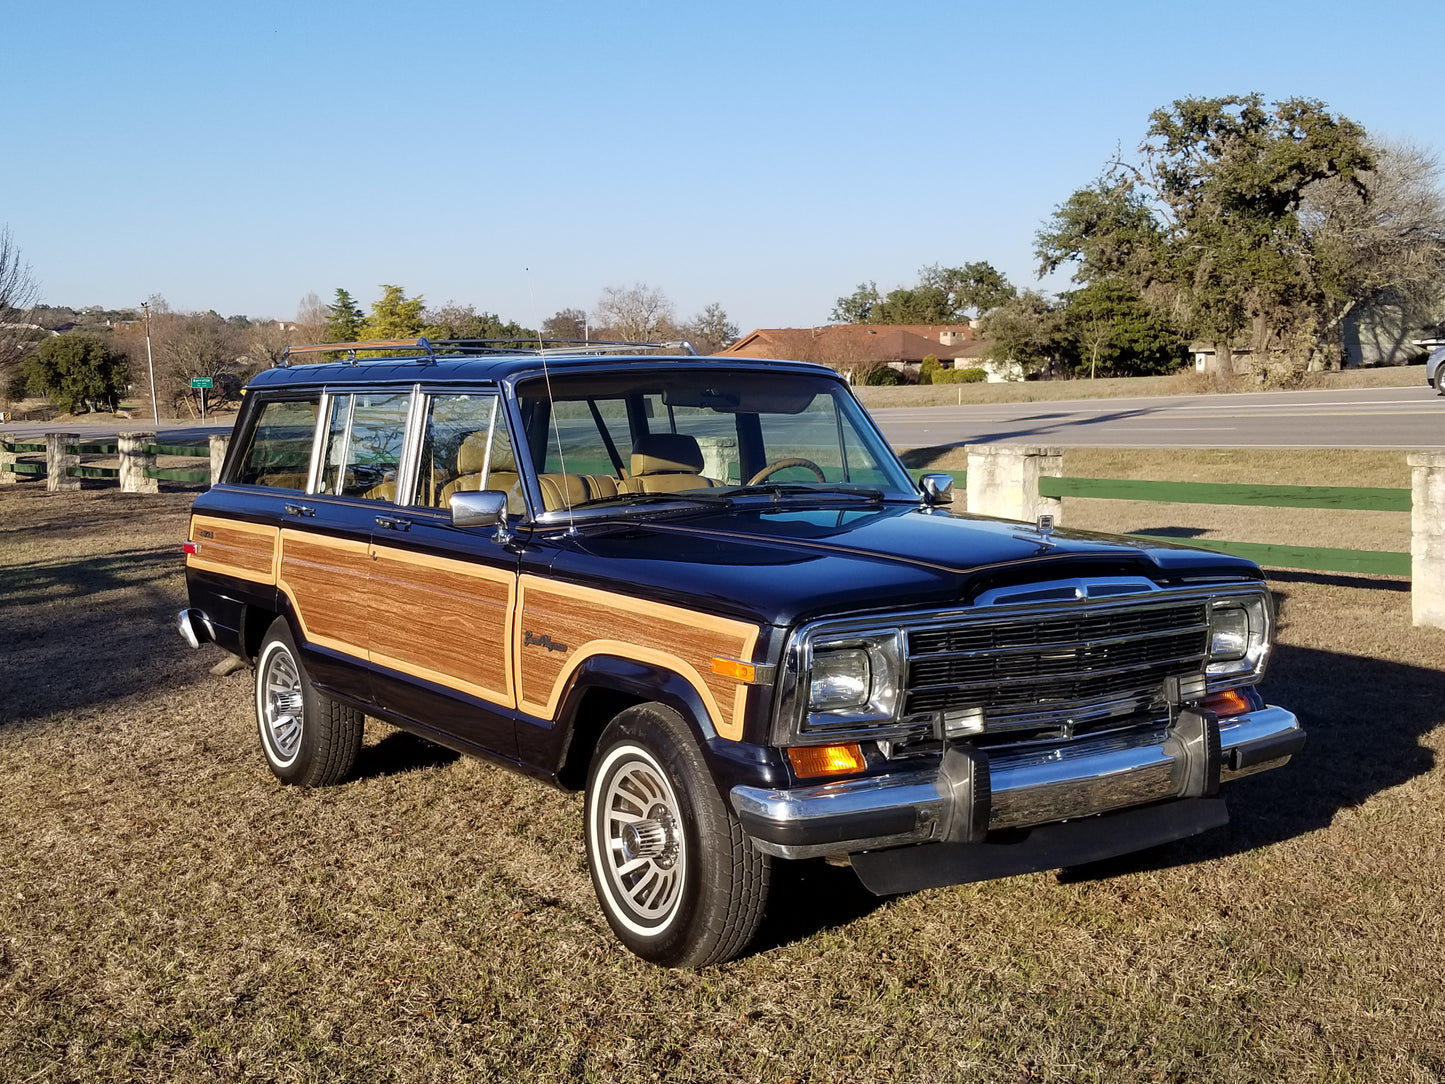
(466, 447)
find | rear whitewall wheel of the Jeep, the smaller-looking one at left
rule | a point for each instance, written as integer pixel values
(309, 738)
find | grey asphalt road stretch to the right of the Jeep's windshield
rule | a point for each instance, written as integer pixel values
(1388, 418)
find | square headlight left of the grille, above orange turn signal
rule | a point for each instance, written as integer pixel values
(855, 680)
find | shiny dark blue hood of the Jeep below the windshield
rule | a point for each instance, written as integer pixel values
(785, 566)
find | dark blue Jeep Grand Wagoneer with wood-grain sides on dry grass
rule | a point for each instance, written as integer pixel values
(707, 593)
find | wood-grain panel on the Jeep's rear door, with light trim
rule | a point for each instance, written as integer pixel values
(327, 582)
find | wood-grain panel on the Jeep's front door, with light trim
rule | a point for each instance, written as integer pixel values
(444, 621)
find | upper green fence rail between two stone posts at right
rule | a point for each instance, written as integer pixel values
(1352, 498)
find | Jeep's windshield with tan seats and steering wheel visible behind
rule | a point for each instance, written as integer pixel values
(618, 436)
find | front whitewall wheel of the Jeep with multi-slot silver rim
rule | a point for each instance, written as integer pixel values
(678, 881)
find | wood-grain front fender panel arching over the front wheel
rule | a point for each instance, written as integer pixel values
(592, 622)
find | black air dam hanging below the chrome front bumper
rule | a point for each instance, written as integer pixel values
(1047, 848)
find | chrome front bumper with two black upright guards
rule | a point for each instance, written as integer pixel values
(969, 796)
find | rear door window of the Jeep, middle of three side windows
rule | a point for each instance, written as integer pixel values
(363, 452)
